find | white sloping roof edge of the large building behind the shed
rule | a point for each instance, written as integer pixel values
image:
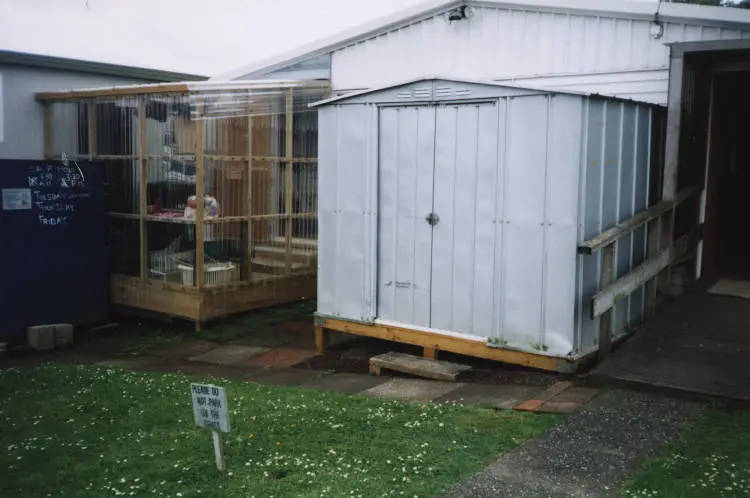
(667, 11)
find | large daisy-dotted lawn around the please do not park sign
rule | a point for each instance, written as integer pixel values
(81, 431)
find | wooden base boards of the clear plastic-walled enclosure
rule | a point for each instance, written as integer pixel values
(209, 303)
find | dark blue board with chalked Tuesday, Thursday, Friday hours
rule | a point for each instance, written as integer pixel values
(53, 255)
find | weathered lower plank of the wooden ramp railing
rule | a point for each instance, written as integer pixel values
(605, 299)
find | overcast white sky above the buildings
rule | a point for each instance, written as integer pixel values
(196, 36)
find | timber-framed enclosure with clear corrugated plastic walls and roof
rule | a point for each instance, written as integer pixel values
(210, 189)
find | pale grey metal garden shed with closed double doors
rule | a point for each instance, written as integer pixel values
(517, 177)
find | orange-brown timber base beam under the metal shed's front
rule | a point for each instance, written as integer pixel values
(434, 343)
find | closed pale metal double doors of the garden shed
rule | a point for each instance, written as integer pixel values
(437, 195)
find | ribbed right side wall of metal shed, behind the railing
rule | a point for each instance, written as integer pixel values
(615, 187)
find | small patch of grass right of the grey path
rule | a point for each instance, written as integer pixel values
(711, 459)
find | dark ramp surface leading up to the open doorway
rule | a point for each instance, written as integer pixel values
(699, 345)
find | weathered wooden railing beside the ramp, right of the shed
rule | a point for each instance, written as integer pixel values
(660, 255)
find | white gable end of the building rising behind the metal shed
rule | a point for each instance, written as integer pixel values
(601, 46)
